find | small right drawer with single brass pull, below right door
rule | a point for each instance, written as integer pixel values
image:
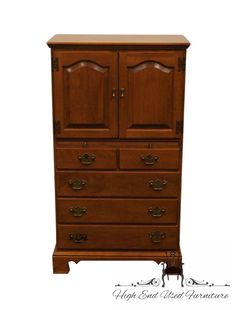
(149, 159)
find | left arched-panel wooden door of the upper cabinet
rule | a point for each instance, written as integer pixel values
(85, 103)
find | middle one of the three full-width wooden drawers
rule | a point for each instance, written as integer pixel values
(117, 211)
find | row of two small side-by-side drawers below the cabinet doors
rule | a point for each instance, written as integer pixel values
(112, 158)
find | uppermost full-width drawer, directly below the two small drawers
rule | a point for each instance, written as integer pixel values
(117, 184)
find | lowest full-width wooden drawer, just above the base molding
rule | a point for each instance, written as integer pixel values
(117, 237)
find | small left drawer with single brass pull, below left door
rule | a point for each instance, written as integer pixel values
(85, 158)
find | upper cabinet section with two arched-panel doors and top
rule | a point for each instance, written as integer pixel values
(118, 86)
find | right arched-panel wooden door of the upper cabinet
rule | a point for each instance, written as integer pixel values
(151, 94)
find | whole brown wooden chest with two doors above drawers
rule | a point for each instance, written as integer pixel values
(118, 132)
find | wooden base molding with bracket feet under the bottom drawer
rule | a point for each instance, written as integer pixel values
(172, 258)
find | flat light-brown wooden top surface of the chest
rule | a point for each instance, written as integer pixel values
(152, 40)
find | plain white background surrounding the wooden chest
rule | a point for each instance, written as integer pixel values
(27, 188)
